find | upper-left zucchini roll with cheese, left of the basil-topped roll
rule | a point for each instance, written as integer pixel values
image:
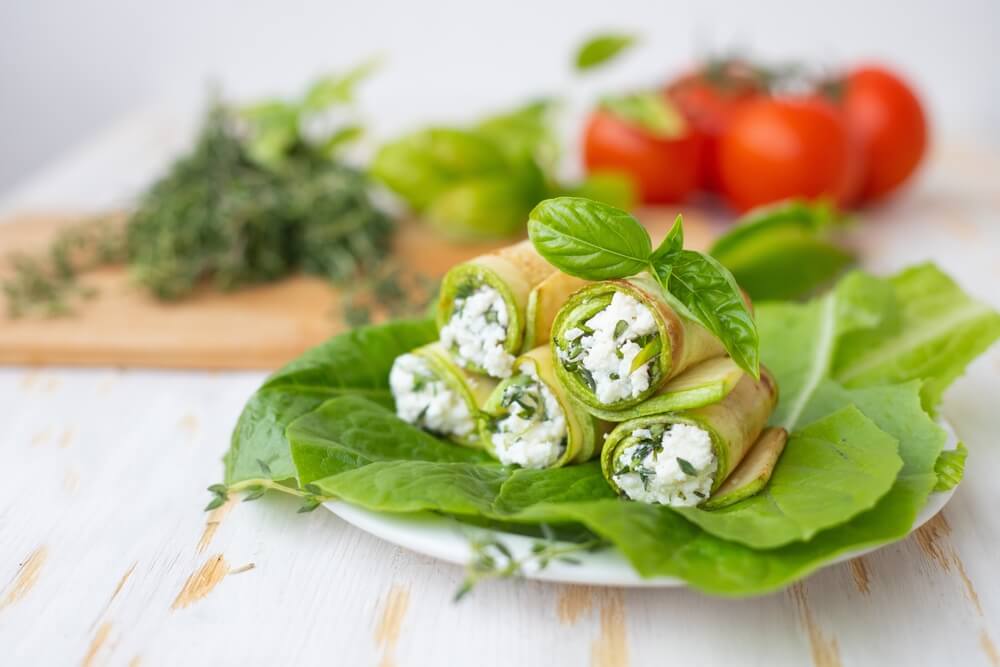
(482, 311)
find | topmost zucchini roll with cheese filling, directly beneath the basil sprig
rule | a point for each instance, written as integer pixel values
(617, 342)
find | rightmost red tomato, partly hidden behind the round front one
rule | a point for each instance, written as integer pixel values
(891, 126)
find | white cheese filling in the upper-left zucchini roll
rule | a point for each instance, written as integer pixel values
(477, 330)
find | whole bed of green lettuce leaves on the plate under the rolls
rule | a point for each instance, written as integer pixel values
(861, 371)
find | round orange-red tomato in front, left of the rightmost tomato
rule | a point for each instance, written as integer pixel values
(777, 148)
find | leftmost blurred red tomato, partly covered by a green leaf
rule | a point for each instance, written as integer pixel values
(664, 170)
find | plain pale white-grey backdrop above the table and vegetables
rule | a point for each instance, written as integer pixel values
(71, 67)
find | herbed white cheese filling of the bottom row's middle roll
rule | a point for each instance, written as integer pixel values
(533, 432)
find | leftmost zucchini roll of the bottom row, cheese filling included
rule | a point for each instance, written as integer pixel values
(434, 393)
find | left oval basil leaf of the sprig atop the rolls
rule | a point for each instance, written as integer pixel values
(588, 239)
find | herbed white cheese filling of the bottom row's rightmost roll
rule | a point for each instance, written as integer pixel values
(670, 465)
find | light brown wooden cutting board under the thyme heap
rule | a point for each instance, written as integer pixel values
(255, 328)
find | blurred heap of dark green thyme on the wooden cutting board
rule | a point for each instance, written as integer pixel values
(254, 201)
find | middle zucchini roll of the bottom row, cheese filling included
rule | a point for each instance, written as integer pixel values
(531, 421)
